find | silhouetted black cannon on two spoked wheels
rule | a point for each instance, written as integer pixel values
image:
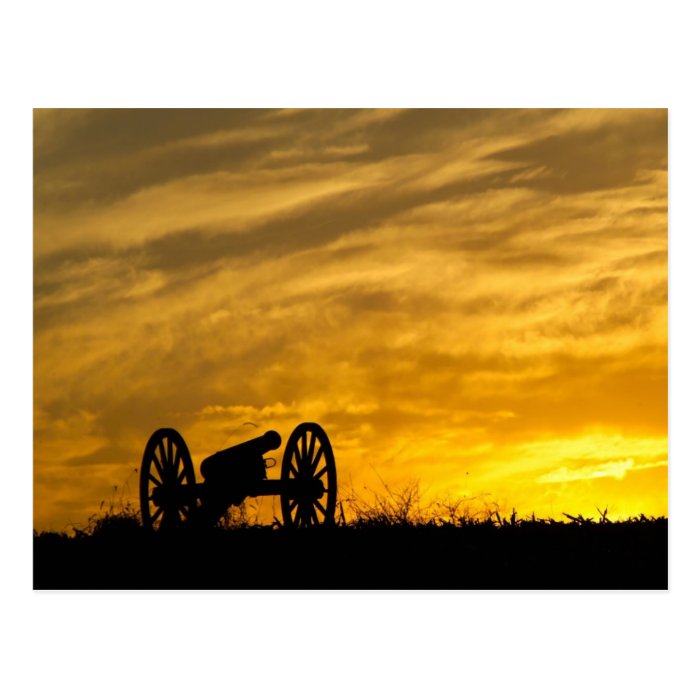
(171, 497)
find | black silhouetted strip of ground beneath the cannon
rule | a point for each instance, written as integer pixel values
(626, 555)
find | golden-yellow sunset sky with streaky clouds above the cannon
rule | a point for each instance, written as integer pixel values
(474, 301)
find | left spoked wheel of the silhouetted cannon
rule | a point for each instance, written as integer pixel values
(167, 467)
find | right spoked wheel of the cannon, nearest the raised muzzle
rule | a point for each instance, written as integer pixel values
(308, 457)
